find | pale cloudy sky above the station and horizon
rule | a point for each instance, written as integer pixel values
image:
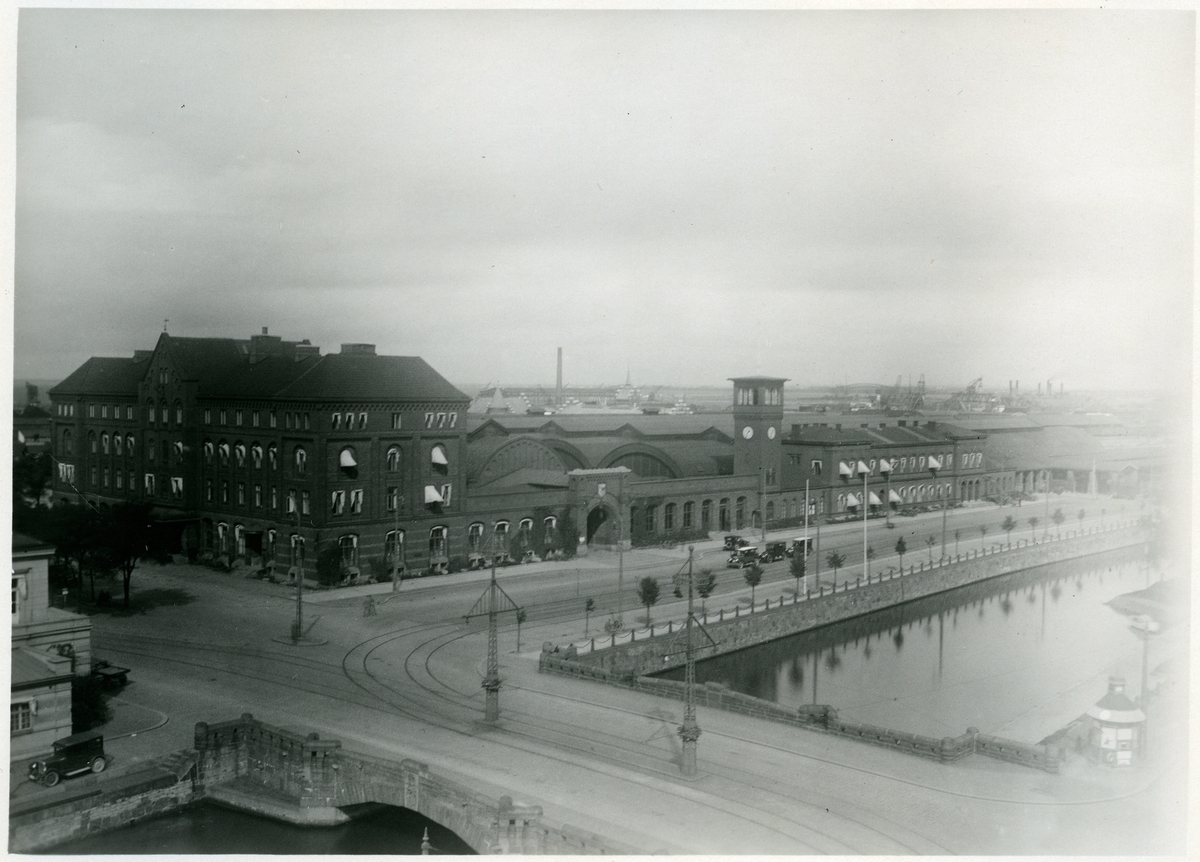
(824, 196)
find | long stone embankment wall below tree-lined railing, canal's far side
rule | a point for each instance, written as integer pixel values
(659, 650)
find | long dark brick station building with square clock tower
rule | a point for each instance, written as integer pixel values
(268, 453)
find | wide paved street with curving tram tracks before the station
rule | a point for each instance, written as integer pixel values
(406, 683)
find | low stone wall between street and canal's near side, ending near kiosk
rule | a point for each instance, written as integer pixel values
(825, 719)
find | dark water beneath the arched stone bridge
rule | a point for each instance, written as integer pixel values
(208, 829)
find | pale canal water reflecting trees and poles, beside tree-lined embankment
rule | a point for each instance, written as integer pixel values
(1019, 656)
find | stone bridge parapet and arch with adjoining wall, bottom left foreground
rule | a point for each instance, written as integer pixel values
(298, 779)
